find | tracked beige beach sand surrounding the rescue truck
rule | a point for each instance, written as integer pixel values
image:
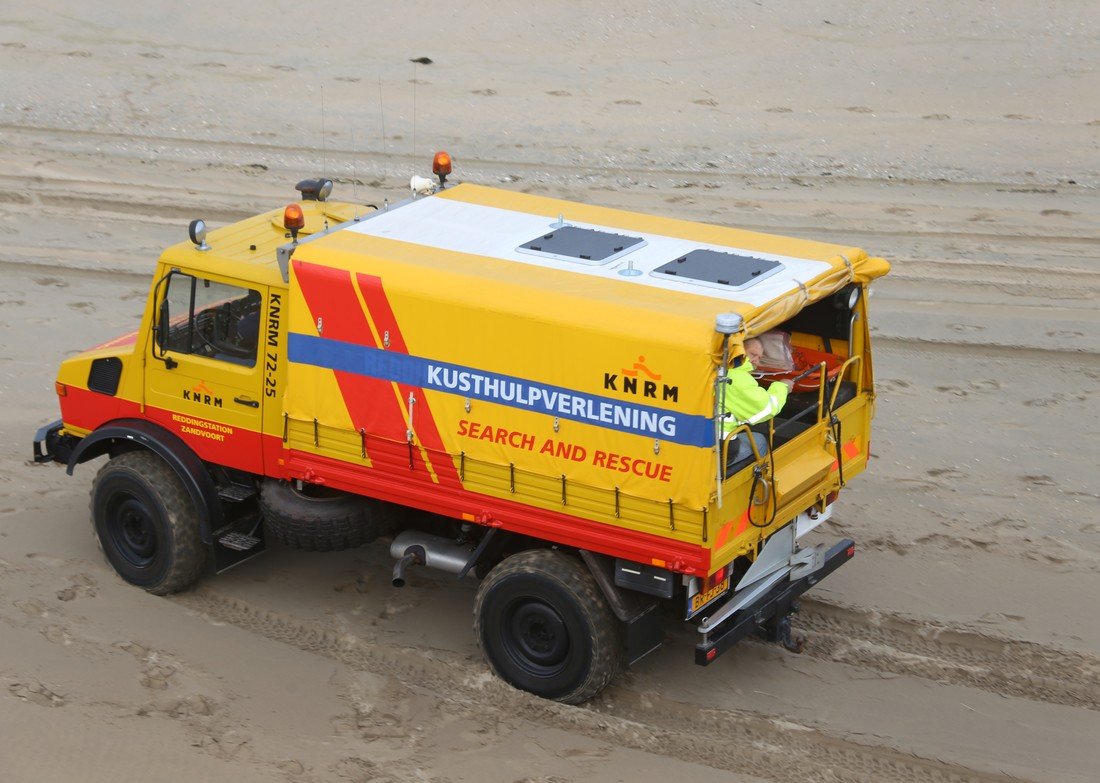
(962, 144)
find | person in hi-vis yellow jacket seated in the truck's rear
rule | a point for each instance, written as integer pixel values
(749, 403)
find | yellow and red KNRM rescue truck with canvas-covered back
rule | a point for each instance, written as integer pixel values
(518, 389)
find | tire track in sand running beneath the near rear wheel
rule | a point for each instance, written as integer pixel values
(724, 740)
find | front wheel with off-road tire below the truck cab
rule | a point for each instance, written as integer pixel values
(147, 524)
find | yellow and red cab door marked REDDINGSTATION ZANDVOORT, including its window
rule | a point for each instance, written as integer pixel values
(204, 377)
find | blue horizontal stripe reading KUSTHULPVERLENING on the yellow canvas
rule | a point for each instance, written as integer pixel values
(503, 390)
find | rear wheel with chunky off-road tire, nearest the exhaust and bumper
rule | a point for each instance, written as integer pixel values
(544, 626)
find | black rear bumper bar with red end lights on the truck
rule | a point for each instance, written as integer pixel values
(773, 606)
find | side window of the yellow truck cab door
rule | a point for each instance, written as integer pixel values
(210, 319)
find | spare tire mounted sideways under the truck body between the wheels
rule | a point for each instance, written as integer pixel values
(329, 523)
